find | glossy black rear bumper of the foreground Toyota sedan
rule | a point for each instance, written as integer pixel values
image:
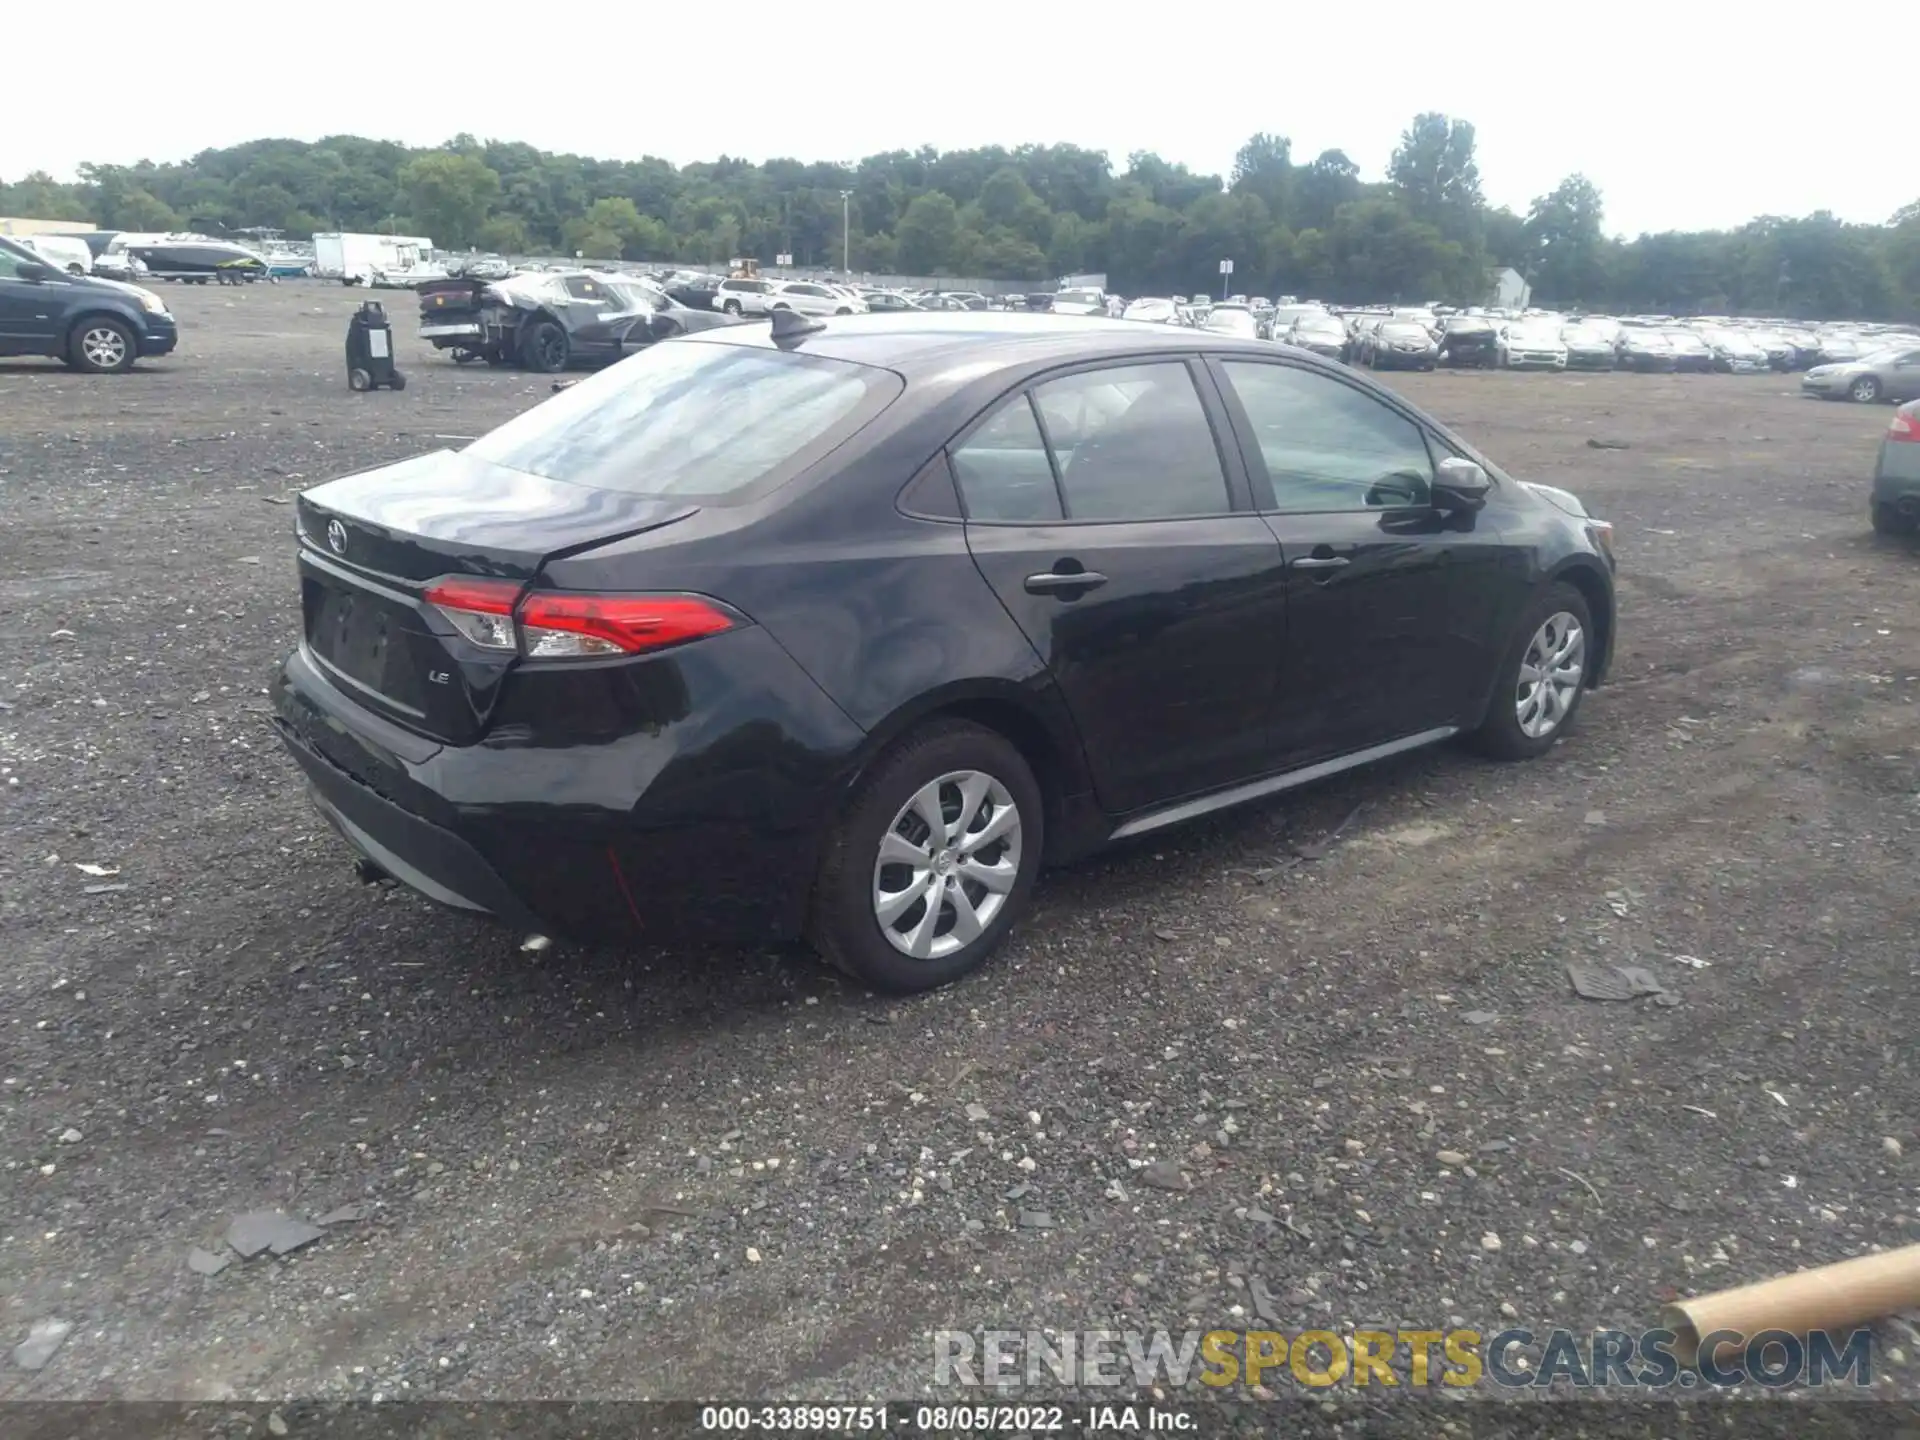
(702, 825)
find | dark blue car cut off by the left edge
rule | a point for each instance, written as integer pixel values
(95, 325)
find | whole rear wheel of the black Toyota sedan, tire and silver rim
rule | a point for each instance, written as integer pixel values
(932, 861)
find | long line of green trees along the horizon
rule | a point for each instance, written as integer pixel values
(1028, 214)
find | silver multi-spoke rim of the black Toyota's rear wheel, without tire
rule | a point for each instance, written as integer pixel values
(948, 865)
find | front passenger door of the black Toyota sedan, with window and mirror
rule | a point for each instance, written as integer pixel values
(1376, 644)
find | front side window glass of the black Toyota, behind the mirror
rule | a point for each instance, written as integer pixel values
(1330, 446)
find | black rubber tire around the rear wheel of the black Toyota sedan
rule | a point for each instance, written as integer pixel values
(844, 924)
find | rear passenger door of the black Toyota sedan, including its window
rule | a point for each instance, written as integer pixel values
(1115, 527)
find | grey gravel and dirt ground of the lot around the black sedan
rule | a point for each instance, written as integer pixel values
(604, 1174)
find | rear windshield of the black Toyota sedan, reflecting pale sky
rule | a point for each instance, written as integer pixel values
(694, 420)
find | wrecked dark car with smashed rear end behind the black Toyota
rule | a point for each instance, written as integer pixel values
(546, 322)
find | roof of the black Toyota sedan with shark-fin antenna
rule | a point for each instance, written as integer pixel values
(926, 345)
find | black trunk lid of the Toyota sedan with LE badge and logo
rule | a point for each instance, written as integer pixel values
(370, 546)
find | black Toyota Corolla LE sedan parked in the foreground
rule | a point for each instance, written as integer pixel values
(842, 629)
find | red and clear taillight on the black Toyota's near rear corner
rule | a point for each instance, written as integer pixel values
(556, 625)
